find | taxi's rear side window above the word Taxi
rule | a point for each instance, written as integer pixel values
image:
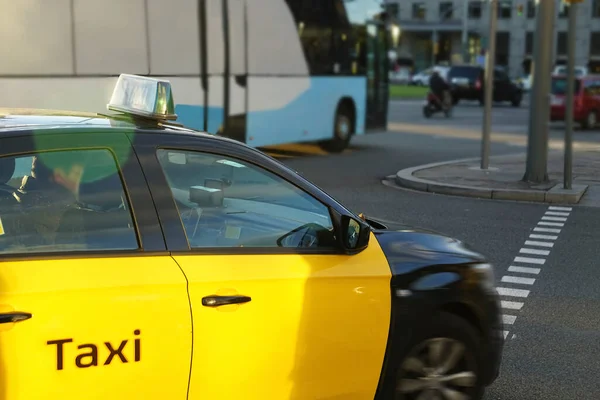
(63, 201)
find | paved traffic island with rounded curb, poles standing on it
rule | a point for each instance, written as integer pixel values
(503, 179)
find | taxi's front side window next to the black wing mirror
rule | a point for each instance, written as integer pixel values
(225, 202)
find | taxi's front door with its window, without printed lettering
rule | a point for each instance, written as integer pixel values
(269, 322)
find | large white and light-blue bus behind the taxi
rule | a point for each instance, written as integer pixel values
(264, 72)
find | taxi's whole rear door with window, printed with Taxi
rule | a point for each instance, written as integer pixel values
(96, 310)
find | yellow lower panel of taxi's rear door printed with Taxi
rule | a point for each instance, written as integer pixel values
(99, 328)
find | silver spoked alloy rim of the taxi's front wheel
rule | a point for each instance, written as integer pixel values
(437, 369)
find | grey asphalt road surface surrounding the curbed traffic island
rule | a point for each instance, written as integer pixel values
(553, 342)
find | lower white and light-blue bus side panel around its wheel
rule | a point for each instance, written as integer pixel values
(276, 118)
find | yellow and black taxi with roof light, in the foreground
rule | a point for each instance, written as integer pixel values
(143, 260)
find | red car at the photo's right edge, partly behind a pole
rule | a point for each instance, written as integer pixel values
(586, 100)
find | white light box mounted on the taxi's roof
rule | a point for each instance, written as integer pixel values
(143, 96)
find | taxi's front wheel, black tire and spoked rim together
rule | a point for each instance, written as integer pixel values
(446, 334)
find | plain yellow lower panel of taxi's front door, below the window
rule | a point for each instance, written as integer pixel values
(316, 325)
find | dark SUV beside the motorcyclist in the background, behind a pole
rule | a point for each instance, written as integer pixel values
(467, 82)
